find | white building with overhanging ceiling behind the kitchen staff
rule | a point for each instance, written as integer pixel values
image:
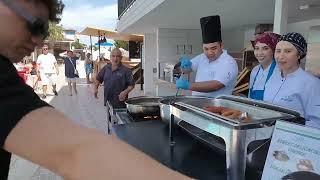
(172, 27)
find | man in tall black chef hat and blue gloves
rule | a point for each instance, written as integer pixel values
(216, 71)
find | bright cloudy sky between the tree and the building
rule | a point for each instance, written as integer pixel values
(78, 14)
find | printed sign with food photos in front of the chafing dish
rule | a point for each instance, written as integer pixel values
(294, 153)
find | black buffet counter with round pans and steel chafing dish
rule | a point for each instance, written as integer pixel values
(226, 137)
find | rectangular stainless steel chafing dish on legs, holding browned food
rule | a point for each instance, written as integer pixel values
(235, 134)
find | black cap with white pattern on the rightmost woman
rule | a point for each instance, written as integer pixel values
(298, 41)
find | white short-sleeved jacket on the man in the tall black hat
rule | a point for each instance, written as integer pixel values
(224, 69)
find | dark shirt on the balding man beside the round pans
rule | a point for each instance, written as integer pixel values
(114, 83)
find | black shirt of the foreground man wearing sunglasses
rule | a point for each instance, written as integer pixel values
(16, 100)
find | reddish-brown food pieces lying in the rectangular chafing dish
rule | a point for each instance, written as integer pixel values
(228, 113)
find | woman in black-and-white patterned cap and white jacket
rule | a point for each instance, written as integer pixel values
(293, 87)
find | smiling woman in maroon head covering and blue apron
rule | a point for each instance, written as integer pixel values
(264, 46)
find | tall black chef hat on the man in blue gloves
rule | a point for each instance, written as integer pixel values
(211, 29)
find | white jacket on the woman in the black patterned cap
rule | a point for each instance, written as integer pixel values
(299, 91)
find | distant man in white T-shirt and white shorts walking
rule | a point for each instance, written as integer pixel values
(48, 70)
